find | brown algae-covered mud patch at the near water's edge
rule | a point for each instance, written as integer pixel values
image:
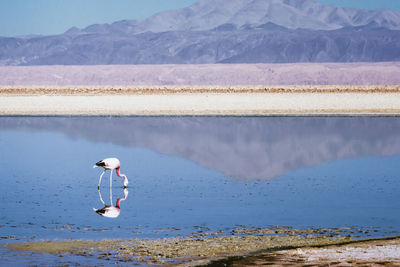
(204, 246)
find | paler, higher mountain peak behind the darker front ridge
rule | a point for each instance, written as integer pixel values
(207, 15)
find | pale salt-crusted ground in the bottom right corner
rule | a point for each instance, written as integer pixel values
(376, 251)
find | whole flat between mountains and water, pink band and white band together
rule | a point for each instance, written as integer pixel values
(238, 89)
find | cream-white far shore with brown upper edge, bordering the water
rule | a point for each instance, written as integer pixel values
(200, 100)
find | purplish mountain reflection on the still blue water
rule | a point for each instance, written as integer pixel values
(240, 147)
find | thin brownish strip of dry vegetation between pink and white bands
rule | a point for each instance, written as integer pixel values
(145, 90)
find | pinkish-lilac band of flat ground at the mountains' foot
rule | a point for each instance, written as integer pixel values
(233, 74)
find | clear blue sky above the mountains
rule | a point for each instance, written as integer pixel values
(46, 17)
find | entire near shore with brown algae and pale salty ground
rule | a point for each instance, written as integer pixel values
(242, 247)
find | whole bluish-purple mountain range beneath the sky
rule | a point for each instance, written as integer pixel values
(220, 31)
